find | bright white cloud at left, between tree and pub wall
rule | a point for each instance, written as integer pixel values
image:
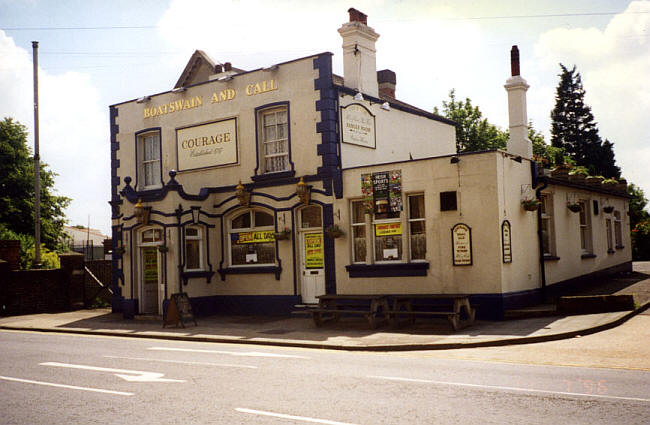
(73, 130)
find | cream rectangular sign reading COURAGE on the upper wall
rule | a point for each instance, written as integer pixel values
(207, 145)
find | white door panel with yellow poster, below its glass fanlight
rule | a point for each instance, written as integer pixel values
(313, 263)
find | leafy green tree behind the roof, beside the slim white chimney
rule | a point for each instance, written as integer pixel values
(473, 133)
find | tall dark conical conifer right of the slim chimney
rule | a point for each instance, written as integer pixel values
(573, 128)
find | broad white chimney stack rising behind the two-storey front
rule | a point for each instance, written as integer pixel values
(359, 54)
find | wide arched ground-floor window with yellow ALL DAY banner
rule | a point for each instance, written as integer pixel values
(251, 238)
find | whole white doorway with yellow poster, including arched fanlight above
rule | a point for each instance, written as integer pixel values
(312, 253)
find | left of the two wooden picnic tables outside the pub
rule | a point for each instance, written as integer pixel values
(331, 307)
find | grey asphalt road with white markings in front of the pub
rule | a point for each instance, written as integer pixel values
(71, 379)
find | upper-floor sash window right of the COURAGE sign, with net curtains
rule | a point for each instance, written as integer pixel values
(274, 140)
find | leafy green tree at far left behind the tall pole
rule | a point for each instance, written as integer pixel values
(17, 188)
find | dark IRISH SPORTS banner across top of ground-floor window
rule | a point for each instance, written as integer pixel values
(382, 191)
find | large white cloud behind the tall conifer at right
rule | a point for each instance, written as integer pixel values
(614, 64)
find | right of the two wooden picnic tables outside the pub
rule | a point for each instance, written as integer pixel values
(403, 306)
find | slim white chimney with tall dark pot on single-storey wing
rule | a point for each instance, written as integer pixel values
(518, 143)
